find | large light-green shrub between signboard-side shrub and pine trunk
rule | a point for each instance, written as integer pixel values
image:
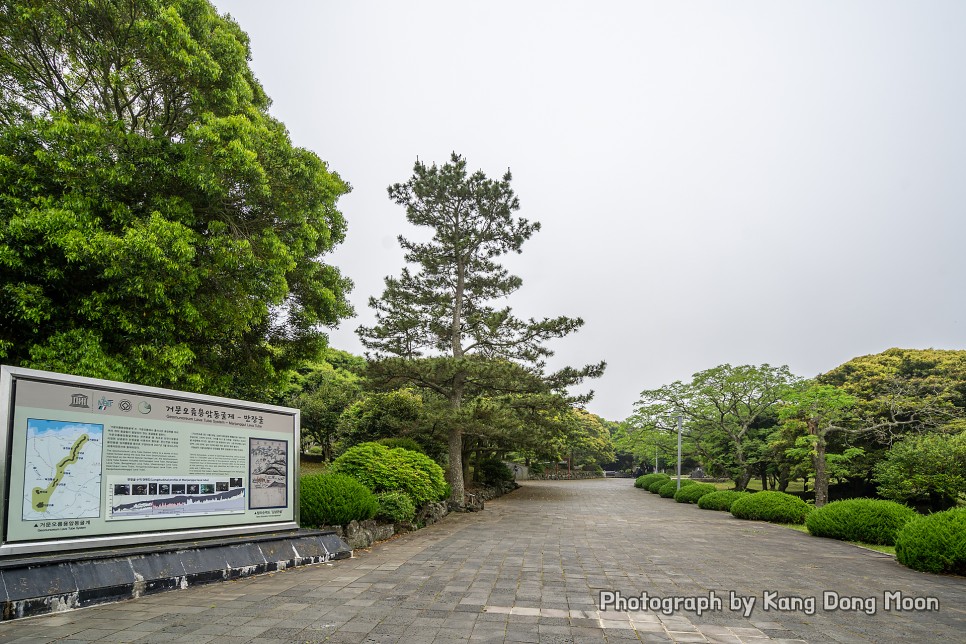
(383, 469)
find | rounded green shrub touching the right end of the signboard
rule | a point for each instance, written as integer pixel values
(334, 499)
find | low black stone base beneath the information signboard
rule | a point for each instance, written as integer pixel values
(52, 583)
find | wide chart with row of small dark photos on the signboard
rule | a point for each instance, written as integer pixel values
(140, 498)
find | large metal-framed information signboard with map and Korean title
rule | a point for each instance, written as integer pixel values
(93, 463)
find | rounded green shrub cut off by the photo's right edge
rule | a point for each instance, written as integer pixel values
(934, 543)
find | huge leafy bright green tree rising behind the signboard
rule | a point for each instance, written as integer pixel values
(157, 225)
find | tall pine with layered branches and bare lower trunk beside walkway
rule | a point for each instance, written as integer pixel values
(441, 322)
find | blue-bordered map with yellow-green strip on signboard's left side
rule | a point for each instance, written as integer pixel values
(62, 470)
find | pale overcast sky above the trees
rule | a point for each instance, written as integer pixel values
(740, 182)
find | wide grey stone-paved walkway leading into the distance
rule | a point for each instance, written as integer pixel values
(531, 567)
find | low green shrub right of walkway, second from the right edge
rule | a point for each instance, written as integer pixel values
(865, 520)
